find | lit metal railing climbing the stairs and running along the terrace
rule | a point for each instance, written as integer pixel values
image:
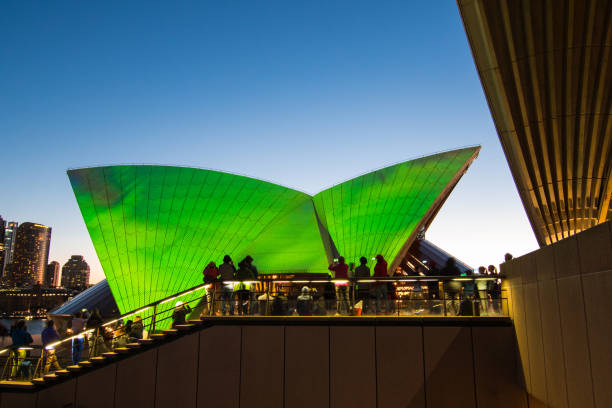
(403, 296)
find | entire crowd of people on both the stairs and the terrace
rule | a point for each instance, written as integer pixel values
(351, 290)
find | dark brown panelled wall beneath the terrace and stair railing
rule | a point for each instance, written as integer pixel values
(408, 365)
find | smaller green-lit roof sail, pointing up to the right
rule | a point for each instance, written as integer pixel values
(378, 212)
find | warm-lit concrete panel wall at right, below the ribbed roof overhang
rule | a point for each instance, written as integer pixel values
(558, 302)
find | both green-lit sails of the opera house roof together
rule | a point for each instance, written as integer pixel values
(155, 228)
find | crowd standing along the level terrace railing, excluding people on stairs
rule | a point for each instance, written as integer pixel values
(236, 289)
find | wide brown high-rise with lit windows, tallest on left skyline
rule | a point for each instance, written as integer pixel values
(30, 255)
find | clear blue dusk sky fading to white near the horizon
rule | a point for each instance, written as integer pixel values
(305, 94)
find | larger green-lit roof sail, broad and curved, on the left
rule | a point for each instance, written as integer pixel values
(155, 228)
